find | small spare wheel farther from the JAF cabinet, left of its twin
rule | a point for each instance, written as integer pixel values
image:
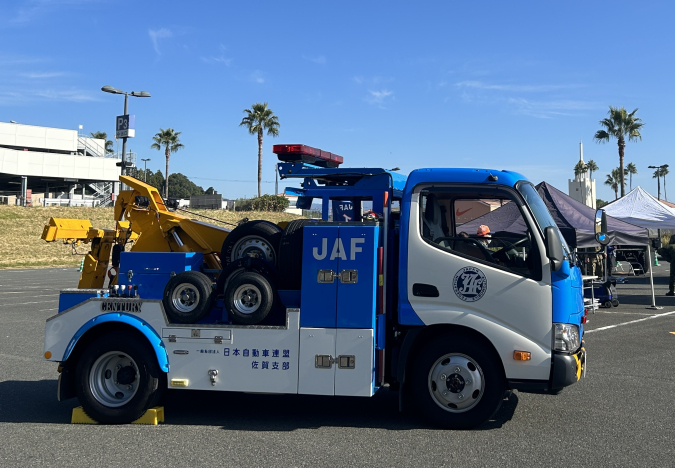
(187, 297)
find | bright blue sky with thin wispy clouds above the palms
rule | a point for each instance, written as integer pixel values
(506, 85)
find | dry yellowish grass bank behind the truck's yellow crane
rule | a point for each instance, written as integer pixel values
(21, 228)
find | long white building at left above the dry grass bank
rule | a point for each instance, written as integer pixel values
(56, 163)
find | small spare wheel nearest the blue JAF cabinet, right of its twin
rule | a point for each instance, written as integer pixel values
(249, 298)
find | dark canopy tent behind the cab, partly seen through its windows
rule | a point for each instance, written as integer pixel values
(575, 220)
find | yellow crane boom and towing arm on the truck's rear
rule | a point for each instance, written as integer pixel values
(142, 218)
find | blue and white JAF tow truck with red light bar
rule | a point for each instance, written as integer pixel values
(401, 297)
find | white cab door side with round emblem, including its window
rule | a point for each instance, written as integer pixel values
(463, 271)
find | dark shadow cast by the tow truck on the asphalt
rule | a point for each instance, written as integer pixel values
(35, 402)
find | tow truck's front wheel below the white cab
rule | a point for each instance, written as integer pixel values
(457, 400)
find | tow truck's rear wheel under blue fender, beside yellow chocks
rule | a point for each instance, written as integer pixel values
(118, 379)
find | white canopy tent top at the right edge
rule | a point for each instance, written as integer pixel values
(642, 209)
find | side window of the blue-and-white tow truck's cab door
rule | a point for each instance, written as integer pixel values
(488, 230)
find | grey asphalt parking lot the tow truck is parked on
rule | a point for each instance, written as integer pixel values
(621, 414)
